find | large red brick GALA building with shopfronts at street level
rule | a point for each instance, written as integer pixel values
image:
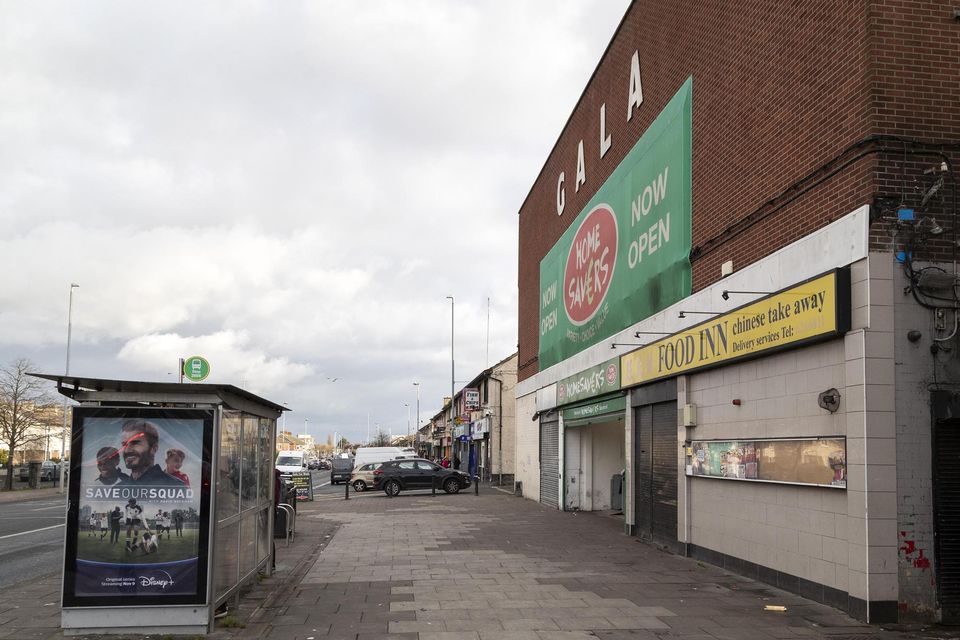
(799, 141)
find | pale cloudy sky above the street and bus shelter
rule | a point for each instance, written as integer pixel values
(289, 189)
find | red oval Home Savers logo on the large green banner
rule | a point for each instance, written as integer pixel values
(590, 263)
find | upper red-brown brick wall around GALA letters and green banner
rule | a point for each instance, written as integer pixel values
(782, 95)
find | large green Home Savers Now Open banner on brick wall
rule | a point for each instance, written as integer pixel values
(626, 256)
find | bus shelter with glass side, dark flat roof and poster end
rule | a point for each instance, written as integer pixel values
(170, 503)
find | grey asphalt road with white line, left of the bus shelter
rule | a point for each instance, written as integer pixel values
(31, 539)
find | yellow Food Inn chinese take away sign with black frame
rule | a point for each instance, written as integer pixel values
(814, 310)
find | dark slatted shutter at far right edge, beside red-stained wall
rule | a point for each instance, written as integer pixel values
(946, 496)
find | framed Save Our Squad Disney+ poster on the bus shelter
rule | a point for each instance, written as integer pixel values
(138, 506)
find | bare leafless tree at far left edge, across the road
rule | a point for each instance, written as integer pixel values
(25, 408)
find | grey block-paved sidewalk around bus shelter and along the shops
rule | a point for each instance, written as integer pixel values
(484, 568)
